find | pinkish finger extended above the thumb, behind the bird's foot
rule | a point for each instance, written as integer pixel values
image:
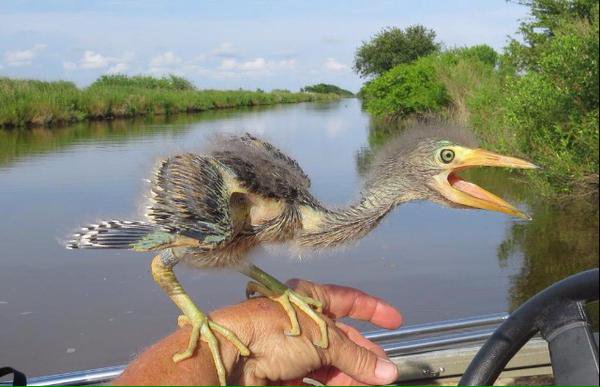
(341, 301)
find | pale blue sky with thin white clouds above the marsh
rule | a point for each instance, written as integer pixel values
(226, 44)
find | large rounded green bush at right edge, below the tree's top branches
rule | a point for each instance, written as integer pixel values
(554, 111)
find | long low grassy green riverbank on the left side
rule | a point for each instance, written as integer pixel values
(28, 103)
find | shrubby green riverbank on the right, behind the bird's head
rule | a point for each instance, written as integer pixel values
(539, 117)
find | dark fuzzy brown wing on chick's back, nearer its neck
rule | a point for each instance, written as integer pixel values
(262, 169)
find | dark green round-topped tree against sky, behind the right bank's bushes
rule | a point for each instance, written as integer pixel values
(393, 46)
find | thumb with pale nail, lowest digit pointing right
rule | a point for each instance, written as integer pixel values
(360, 363)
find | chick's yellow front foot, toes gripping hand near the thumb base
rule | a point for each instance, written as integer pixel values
(288, 298)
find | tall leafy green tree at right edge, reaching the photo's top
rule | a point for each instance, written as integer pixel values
(552, 102)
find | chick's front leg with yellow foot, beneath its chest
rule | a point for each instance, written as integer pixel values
(270, 287)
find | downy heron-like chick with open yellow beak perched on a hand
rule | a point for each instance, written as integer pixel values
(210, 209)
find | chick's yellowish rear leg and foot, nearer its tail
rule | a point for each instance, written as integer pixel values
(202, 326)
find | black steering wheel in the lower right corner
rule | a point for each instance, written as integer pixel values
(557, 314)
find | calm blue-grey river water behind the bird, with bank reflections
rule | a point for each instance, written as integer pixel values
(64, 310)
